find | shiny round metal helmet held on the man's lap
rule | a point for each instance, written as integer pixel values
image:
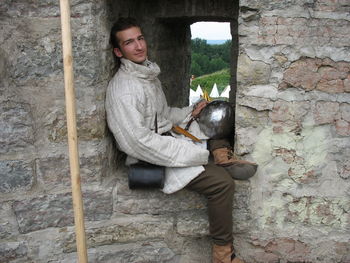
(216, 120)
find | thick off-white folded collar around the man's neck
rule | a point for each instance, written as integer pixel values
(147, 70)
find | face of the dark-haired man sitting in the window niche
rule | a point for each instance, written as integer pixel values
(132, 45)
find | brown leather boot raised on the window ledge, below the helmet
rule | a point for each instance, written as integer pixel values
(238, 169)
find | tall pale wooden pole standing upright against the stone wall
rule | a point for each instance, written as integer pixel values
(72, 131)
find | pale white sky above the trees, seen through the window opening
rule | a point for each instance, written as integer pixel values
(211, 30)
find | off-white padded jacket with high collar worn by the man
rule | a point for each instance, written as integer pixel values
(134, 96)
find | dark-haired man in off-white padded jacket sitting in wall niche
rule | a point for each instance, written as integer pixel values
(134, 98)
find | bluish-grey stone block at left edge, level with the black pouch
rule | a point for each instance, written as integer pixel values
(16, 175)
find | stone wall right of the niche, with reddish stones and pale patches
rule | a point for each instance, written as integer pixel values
(293, 119)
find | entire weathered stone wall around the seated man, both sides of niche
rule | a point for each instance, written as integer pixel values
(292, 117)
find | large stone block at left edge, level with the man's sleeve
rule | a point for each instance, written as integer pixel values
(16, 133)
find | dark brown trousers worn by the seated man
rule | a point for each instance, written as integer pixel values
(218, 187)
